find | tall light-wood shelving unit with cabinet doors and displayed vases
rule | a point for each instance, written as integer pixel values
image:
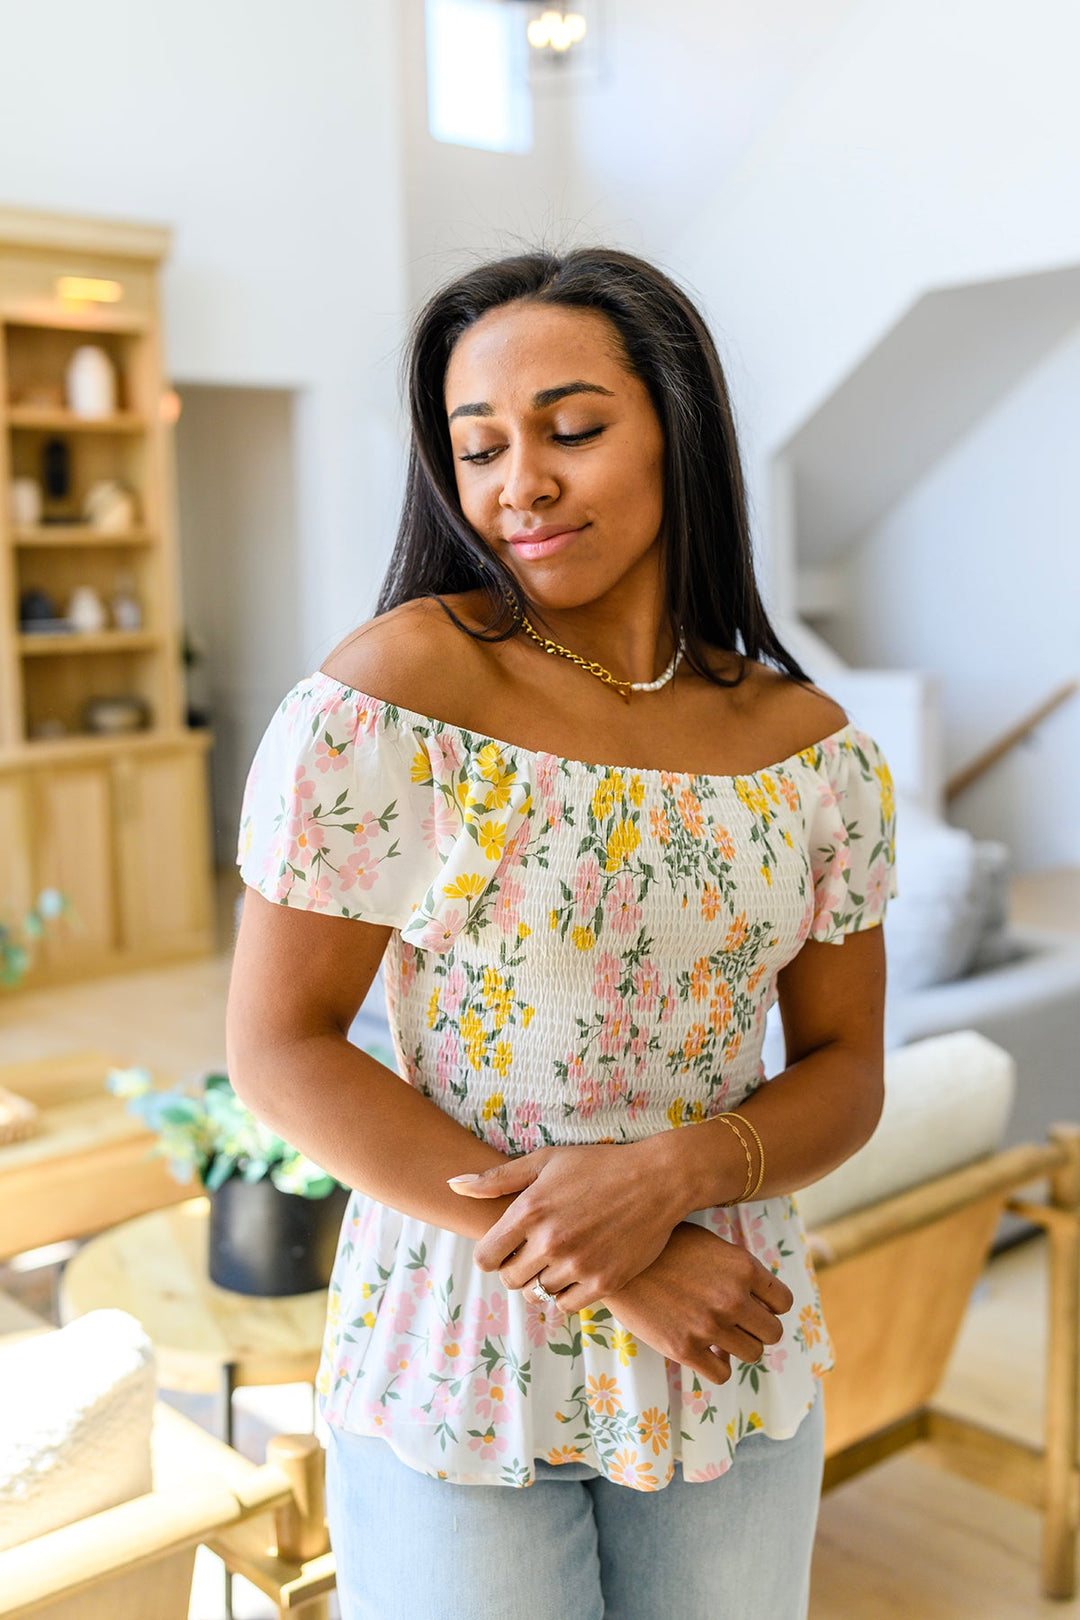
(119, 824)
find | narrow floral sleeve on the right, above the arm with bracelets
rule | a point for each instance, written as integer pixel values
(853, 837)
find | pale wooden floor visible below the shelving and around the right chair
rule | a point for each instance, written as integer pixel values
(899, 1543)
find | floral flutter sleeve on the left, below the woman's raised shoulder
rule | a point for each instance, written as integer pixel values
(357, 809)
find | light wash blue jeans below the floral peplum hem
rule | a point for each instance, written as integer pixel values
(574, 1546)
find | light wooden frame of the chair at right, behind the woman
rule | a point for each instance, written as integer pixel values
(896, 1281)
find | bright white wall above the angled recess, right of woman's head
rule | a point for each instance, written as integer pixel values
(925, 147)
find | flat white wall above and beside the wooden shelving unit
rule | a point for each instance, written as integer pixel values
(268, 139)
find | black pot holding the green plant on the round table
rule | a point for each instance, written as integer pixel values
(265, 1242)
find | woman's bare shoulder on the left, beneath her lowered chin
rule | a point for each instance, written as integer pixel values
(415, 657)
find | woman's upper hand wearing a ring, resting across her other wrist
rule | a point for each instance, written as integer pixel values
(587, 1219)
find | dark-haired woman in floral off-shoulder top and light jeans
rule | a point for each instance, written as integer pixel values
(576, 793)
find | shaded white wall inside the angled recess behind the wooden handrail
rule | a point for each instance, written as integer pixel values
(977, 578)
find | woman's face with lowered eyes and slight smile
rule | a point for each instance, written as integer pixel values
(558, 453)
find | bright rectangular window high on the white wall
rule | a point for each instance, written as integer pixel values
(478, 92)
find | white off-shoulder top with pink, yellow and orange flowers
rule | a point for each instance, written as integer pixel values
(580, 953)
